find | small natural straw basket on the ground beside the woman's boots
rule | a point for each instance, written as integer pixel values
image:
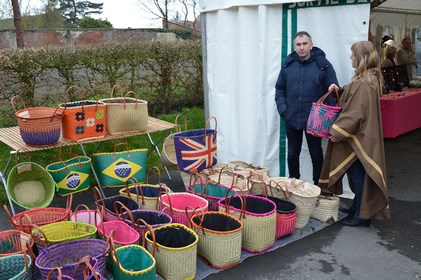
(327, 208)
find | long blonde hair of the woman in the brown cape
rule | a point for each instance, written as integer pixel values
(367, 62)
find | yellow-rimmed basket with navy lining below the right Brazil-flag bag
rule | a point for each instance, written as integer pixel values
(144, 193)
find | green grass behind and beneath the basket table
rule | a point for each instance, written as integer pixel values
(195, 118)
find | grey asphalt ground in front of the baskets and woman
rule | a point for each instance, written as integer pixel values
(388, 249)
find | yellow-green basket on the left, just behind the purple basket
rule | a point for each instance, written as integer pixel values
(48, 235)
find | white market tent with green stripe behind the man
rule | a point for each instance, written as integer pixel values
(244, 43)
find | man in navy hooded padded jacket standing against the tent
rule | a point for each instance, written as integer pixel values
(305, 76)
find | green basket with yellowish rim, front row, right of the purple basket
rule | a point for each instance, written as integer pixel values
(132, 262)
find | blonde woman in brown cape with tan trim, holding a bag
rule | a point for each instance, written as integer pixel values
(356, 147)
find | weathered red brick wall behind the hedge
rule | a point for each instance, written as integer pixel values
(72, 37)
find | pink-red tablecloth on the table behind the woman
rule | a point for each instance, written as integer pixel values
(401, 112)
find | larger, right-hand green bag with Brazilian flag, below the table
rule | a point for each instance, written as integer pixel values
(114, 169)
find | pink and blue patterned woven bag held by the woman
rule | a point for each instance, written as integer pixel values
(323, 116)
